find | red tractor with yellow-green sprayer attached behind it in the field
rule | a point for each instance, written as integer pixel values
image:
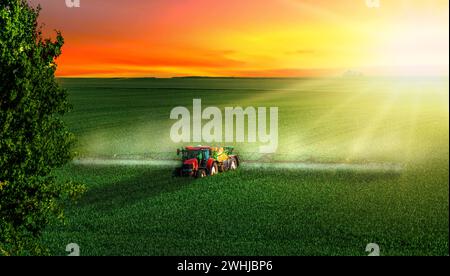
(202, 161)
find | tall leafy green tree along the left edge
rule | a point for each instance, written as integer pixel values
(33, 137)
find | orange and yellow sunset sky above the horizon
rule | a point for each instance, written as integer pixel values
(249, 38)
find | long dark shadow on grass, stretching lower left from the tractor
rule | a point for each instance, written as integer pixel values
(127, 192)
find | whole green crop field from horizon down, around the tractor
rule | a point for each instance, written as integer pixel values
(143, 210)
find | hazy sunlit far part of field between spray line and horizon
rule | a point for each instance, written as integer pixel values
(321, 120)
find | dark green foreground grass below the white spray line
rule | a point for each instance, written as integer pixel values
(144, 211)
